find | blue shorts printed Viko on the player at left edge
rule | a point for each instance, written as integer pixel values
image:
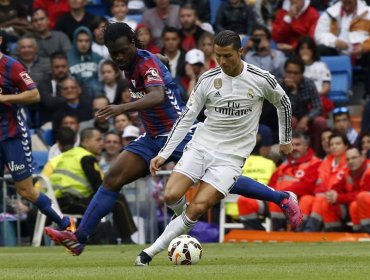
(16, 153)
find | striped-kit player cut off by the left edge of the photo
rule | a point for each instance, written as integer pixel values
(16, 89)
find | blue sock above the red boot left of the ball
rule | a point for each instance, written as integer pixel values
(101, 204)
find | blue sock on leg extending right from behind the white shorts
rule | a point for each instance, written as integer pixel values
(250, 188)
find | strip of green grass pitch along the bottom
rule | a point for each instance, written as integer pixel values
(219, 261)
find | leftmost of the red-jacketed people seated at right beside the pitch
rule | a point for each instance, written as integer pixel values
(297, 174)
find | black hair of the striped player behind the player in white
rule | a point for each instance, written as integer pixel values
(116, 30)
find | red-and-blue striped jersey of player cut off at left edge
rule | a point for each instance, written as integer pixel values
(14, 79)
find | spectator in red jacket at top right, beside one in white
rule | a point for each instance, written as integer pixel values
(294, 19)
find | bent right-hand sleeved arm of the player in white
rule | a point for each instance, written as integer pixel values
(277, 96)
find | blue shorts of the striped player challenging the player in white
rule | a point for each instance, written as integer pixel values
(148, 147)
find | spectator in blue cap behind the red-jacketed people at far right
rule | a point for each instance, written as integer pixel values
(342, 124)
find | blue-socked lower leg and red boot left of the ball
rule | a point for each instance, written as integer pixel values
(100, 206)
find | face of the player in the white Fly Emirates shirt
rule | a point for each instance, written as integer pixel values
(229, 59)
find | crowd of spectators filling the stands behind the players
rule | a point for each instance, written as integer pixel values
(61, 45)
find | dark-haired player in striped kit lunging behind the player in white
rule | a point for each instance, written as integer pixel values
(157, 99)
